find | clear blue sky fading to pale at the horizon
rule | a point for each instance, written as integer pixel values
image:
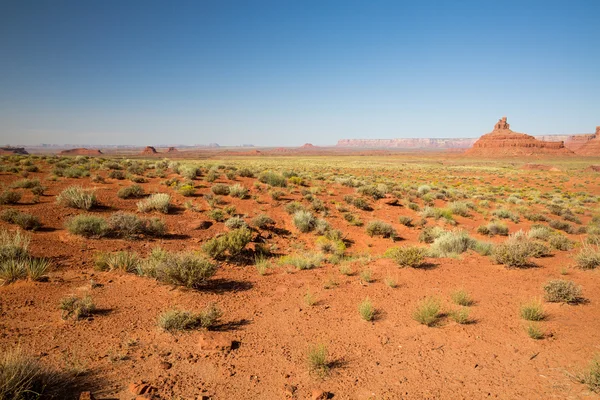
(286, 72)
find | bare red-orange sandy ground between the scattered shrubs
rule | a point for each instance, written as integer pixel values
(391, 358)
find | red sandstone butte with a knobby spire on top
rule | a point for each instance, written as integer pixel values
(502, 141)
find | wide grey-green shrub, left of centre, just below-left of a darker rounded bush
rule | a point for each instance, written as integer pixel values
(182, 269)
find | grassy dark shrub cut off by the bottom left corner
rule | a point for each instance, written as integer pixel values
(22, 377)
